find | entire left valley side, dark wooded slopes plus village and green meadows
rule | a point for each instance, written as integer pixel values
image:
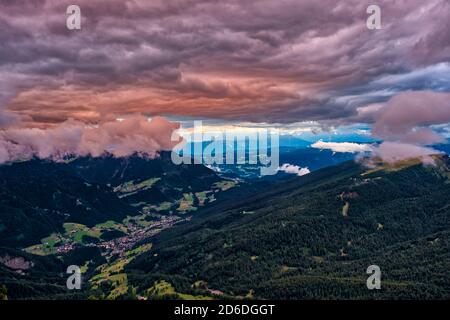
(95, 213)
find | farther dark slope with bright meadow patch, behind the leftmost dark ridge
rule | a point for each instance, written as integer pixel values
(140, 181)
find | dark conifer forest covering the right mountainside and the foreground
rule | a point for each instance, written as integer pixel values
(309, 237)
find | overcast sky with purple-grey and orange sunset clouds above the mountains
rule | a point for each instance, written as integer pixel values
(298, 65)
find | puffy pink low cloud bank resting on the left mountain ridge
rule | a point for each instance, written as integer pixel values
(135, 134)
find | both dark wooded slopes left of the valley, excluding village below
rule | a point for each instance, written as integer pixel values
(37, 197)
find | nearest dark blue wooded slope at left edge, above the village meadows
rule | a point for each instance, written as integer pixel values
(37, 197)
